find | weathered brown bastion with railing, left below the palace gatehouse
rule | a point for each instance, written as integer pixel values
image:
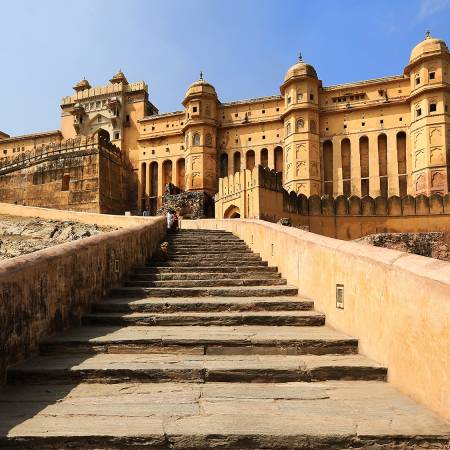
(86, 174)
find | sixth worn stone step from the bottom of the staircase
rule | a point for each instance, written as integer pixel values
(227, 291)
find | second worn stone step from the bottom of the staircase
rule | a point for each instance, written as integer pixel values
(151, 368)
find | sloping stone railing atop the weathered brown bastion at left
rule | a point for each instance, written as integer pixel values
(98, 142)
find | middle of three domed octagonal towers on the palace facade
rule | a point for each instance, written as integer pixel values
(301, 165)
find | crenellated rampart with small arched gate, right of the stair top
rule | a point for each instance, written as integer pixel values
(259, 194)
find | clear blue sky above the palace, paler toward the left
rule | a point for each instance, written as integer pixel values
(244, 47)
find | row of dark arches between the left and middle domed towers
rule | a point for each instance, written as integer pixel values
(228, 167)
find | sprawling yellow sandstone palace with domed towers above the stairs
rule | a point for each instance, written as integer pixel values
(381, 137)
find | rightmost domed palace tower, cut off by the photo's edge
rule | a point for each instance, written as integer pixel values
(428, 70)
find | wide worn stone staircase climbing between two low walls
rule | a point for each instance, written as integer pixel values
(208, 349)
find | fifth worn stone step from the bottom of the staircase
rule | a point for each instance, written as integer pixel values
(211, 304)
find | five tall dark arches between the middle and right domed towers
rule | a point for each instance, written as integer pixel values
(346, 159)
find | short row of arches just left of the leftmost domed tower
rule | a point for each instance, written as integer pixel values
(150, 174)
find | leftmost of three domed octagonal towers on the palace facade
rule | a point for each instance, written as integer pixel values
(200, 133)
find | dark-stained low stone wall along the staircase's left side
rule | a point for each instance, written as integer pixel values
(47, 291)
